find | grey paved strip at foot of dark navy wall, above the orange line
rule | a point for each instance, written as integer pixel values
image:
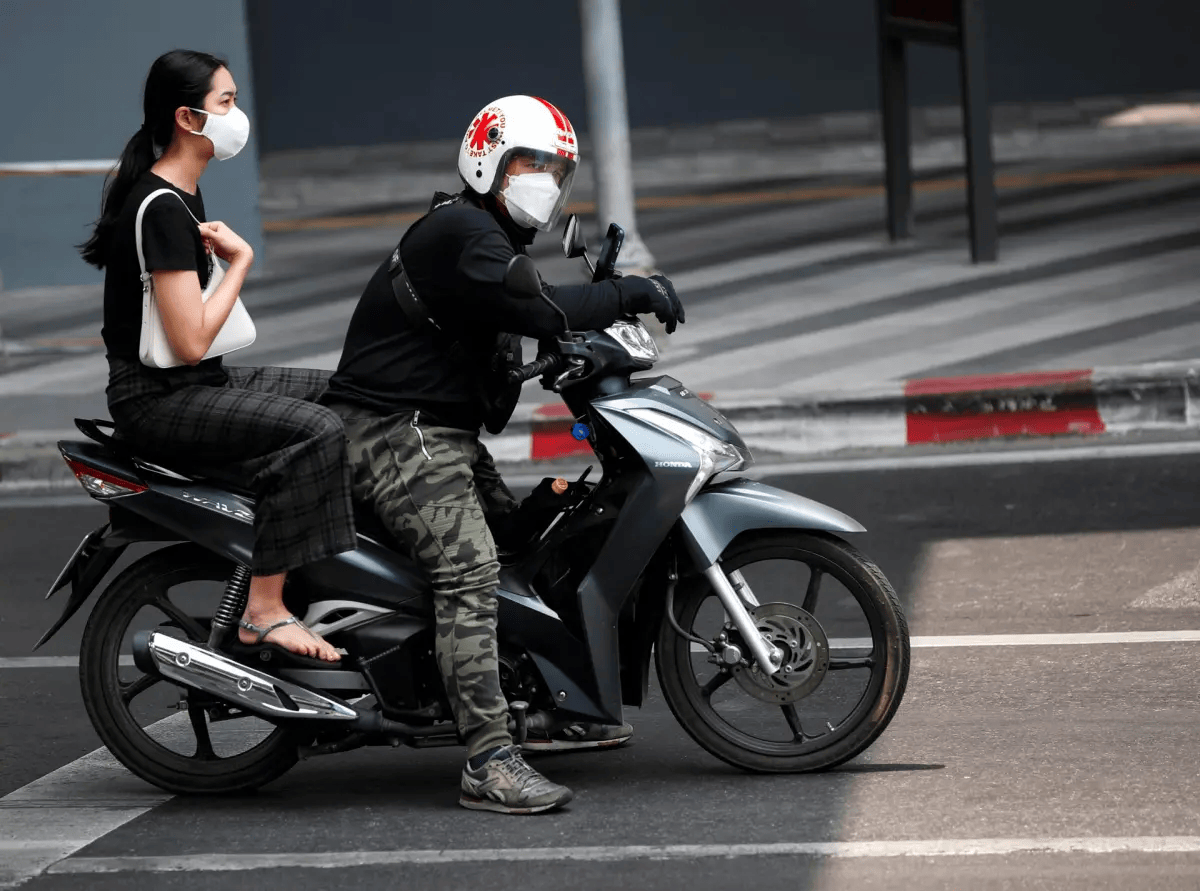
(356, 181)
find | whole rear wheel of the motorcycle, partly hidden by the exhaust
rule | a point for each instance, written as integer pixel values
(115, 692)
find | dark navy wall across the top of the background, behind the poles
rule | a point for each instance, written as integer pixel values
(398, 71)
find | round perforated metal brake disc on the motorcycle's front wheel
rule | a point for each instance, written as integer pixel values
(806, 649)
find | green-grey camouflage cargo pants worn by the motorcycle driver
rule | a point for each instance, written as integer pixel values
(435, 489)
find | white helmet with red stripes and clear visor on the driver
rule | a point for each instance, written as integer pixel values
(521, 128)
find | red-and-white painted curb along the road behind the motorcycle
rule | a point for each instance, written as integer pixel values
(1161, 397)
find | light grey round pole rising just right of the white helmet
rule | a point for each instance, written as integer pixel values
(604, 74)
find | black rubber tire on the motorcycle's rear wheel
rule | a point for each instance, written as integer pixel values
(145, 584)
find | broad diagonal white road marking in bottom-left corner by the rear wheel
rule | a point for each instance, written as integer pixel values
(68, 810)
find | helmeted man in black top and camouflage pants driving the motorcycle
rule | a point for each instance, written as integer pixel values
(422, 348)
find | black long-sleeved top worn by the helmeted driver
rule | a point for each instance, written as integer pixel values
(457, 259)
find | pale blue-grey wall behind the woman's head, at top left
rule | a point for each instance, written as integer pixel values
(73, 75)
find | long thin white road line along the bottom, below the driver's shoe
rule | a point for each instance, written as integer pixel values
(916, 848)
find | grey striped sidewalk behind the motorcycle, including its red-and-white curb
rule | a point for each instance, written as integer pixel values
(812, 332)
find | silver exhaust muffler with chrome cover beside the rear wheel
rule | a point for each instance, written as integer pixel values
(203, 669)
